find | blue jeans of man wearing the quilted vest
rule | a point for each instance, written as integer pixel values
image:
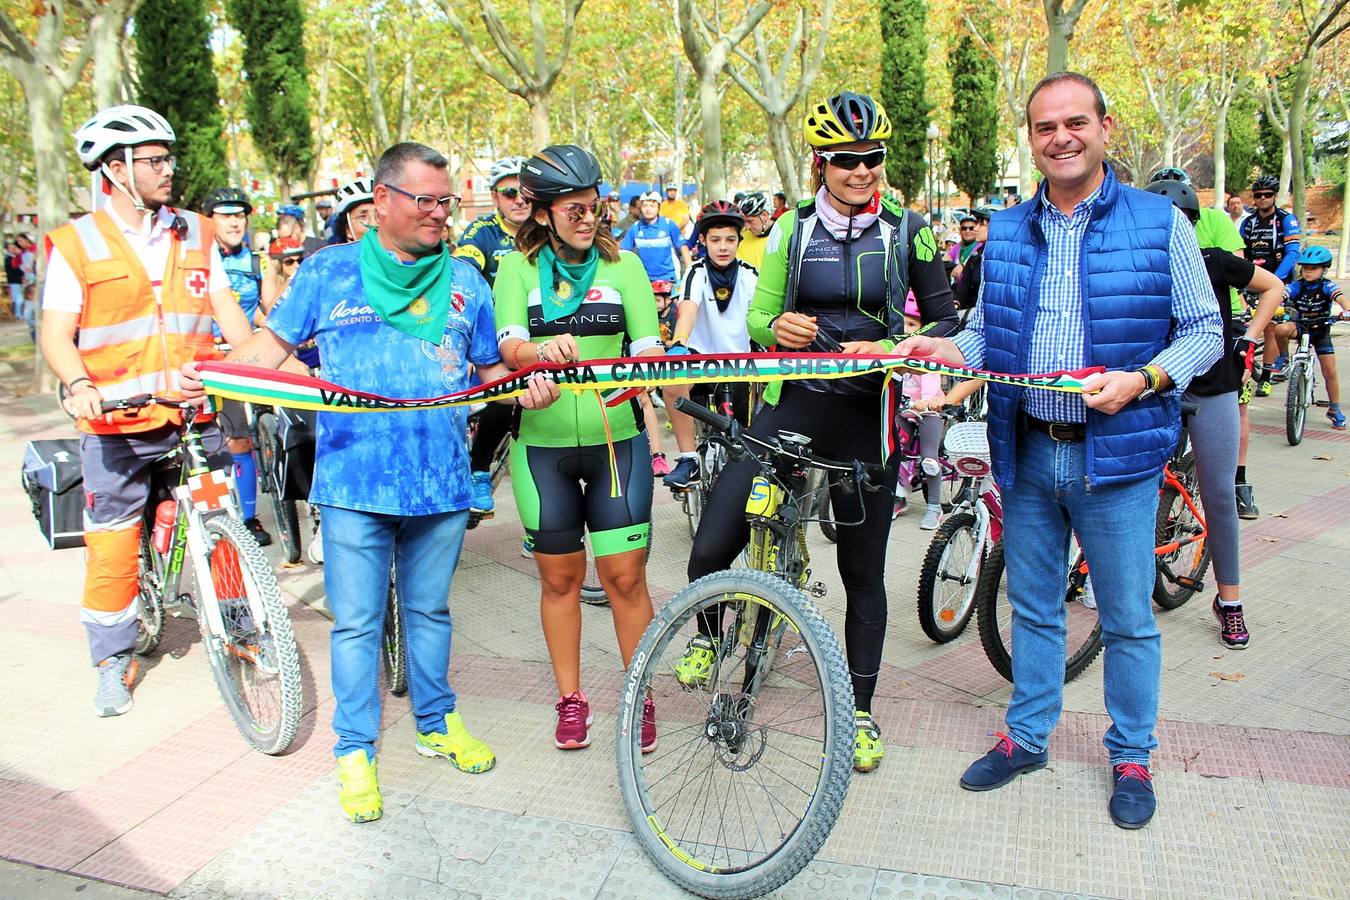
(1116, 527)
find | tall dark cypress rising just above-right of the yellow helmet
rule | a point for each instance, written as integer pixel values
(904, 48)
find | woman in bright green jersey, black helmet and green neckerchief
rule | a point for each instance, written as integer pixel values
(568, 295)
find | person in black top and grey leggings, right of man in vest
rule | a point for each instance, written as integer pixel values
(1216, 428)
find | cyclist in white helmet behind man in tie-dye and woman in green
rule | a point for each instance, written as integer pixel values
(487, 241)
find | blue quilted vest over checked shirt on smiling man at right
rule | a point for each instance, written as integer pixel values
(1127, 319)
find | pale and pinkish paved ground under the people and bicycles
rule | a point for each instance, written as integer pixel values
(1253, 772)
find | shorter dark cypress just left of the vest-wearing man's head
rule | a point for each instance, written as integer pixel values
(974, 141)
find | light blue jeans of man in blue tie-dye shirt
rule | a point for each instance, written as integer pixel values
(358, 550)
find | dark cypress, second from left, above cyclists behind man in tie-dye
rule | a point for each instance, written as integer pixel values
(279, 87)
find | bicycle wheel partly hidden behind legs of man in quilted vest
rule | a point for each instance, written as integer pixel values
(994, 616)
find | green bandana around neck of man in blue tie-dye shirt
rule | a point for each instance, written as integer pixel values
(414, 298)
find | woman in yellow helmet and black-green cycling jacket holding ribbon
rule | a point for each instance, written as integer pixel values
(836, 275)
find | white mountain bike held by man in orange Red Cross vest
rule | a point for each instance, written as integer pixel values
(245, 625)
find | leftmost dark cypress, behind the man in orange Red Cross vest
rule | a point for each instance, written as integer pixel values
(178, 80)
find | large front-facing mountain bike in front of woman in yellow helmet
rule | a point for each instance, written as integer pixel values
(757, 752)
